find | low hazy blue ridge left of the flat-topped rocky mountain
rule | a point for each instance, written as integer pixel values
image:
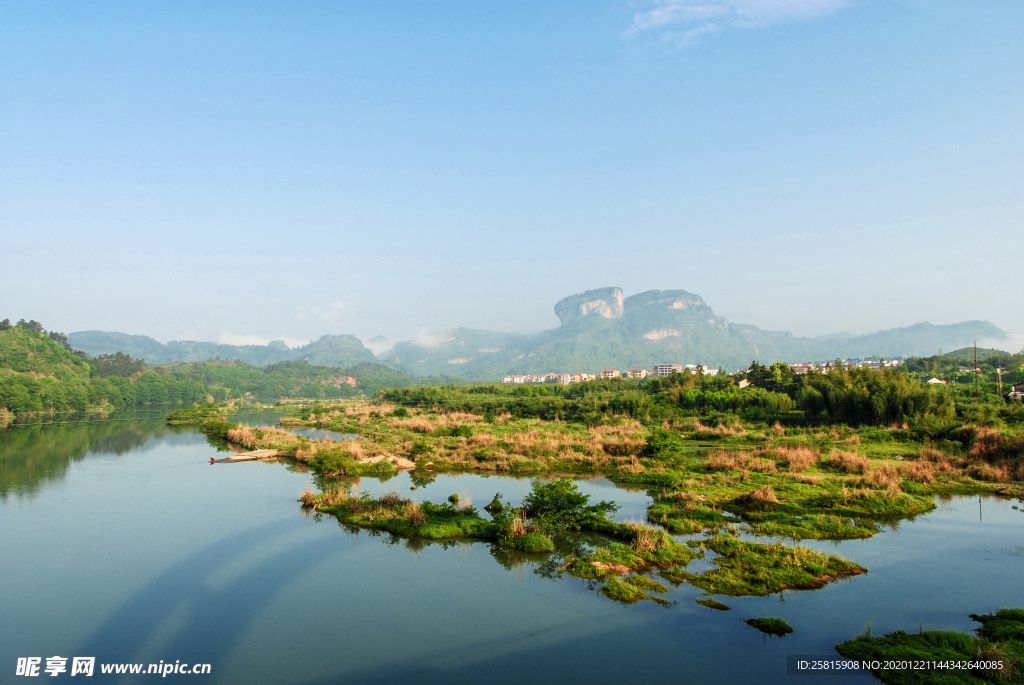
(328, 352)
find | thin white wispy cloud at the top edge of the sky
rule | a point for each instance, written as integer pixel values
(689, 21)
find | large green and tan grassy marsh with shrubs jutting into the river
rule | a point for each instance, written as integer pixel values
(745, 474)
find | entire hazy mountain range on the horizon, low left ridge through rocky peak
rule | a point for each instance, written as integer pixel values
(600, 329)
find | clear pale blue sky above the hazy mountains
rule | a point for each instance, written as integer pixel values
(242, 173)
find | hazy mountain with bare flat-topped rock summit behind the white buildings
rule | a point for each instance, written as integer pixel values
(602, 329)
